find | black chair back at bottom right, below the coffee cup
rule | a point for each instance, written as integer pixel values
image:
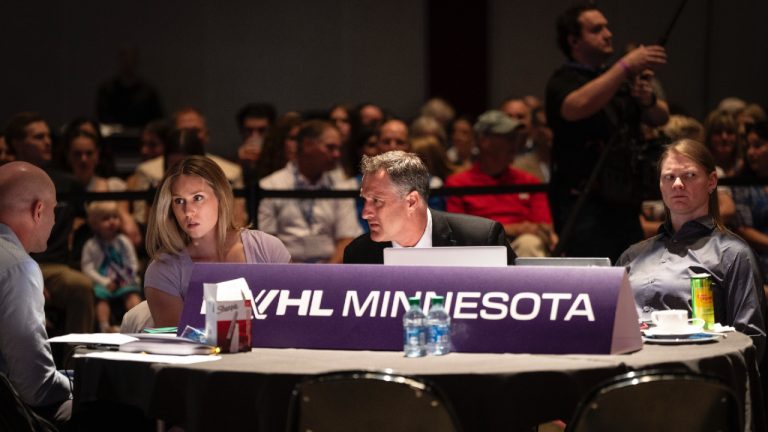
(659, 401)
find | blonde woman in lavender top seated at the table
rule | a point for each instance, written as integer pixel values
(192, 220)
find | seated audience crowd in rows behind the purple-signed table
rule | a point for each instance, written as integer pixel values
(502, 147)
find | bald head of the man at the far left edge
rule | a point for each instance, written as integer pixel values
(27, 201)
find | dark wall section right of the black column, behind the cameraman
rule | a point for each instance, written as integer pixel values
(717, 48)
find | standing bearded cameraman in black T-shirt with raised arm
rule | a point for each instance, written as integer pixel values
(592, 109)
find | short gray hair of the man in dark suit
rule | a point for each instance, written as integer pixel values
(407, 171)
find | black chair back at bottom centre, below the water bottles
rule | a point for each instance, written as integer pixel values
(368, 401)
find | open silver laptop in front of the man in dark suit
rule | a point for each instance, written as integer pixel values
(450, 256)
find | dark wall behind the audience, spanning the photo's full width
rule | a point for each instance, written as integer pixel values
(308, 55)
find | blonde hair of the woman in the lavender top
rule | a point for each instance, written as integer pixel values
(164, 235)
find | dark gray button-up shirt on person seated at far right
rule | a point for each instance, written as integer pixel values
(661, 266)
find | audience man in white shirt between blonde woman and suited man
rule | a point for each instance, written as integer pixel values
(313, 230)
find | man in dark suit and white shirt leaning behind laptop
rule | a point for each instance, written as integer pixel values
(395, 189)
